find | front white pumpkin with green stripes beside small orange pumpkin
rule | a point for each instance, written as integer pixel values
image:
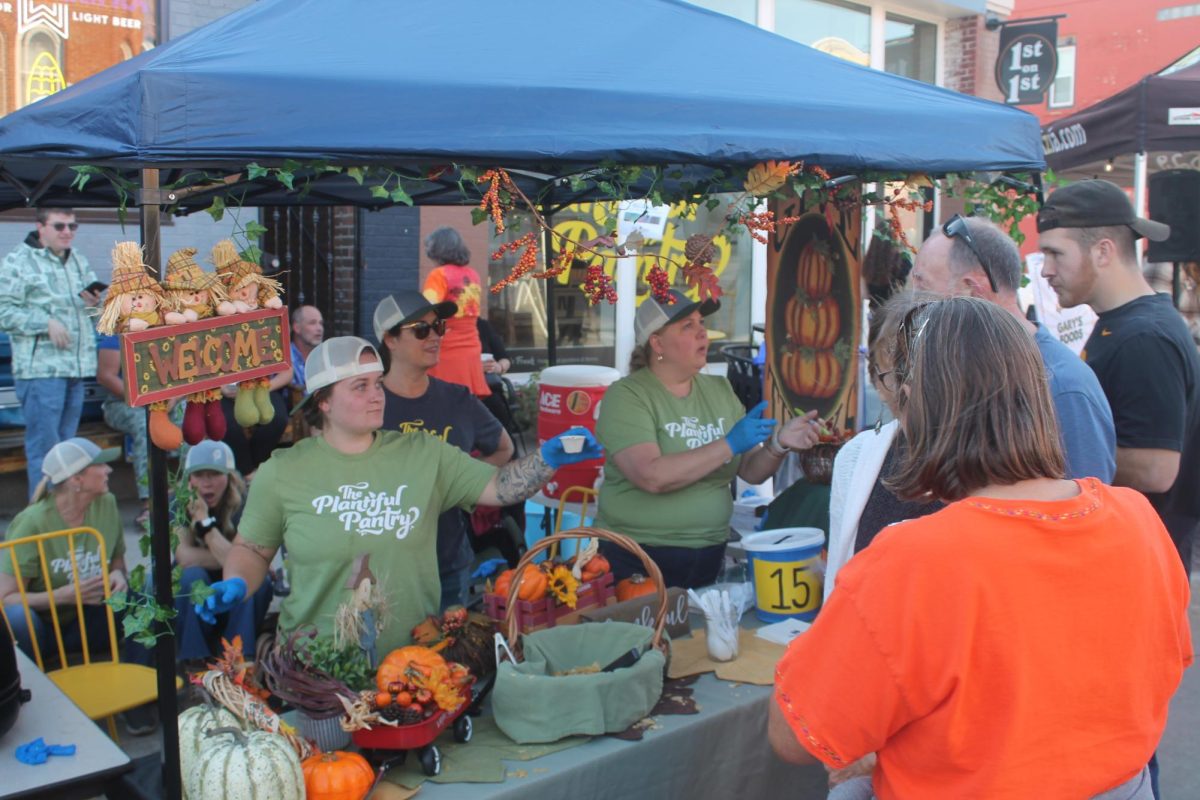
(255, 766)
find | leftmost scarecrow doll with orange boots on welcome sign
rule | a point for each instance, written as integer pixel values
(135, 303)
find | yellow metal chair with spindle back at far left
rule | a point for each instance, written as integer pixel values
(101, 689)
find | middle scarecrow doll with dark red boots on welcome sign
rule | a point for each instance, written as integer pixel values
(196, 294)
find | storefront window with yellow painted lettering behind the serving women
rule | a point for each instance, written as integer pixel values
(586, 334)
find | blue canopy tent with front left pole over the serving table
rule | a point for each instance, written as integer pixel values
(543, 88)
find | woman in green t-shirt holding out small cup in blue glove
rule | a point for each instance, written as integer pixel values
(359, 503)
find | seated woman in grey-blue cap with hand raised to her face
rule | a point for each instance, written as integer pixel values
(214, 509)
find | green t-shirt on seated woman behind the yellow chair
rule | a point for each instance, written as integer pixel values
(44, 518)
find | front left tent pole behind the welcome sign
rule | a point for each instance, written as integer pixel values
(160, 531)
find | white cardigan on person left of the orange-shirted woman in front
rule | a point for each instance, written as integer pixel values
(855, 471)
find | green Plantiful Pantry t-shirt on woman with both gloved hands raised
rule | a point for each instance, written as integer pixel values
(638, 410)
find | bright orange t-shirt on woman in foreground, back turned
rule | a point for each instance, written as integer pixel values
(998, 649)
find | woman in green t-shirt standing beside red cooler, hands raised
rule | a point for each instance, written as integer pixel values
(676, 440)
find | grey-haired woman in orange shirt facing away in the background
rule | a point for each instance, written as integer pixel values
(454, 281)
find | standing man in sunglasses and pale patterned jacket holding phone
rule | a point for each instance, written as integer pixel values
(46, 309)
